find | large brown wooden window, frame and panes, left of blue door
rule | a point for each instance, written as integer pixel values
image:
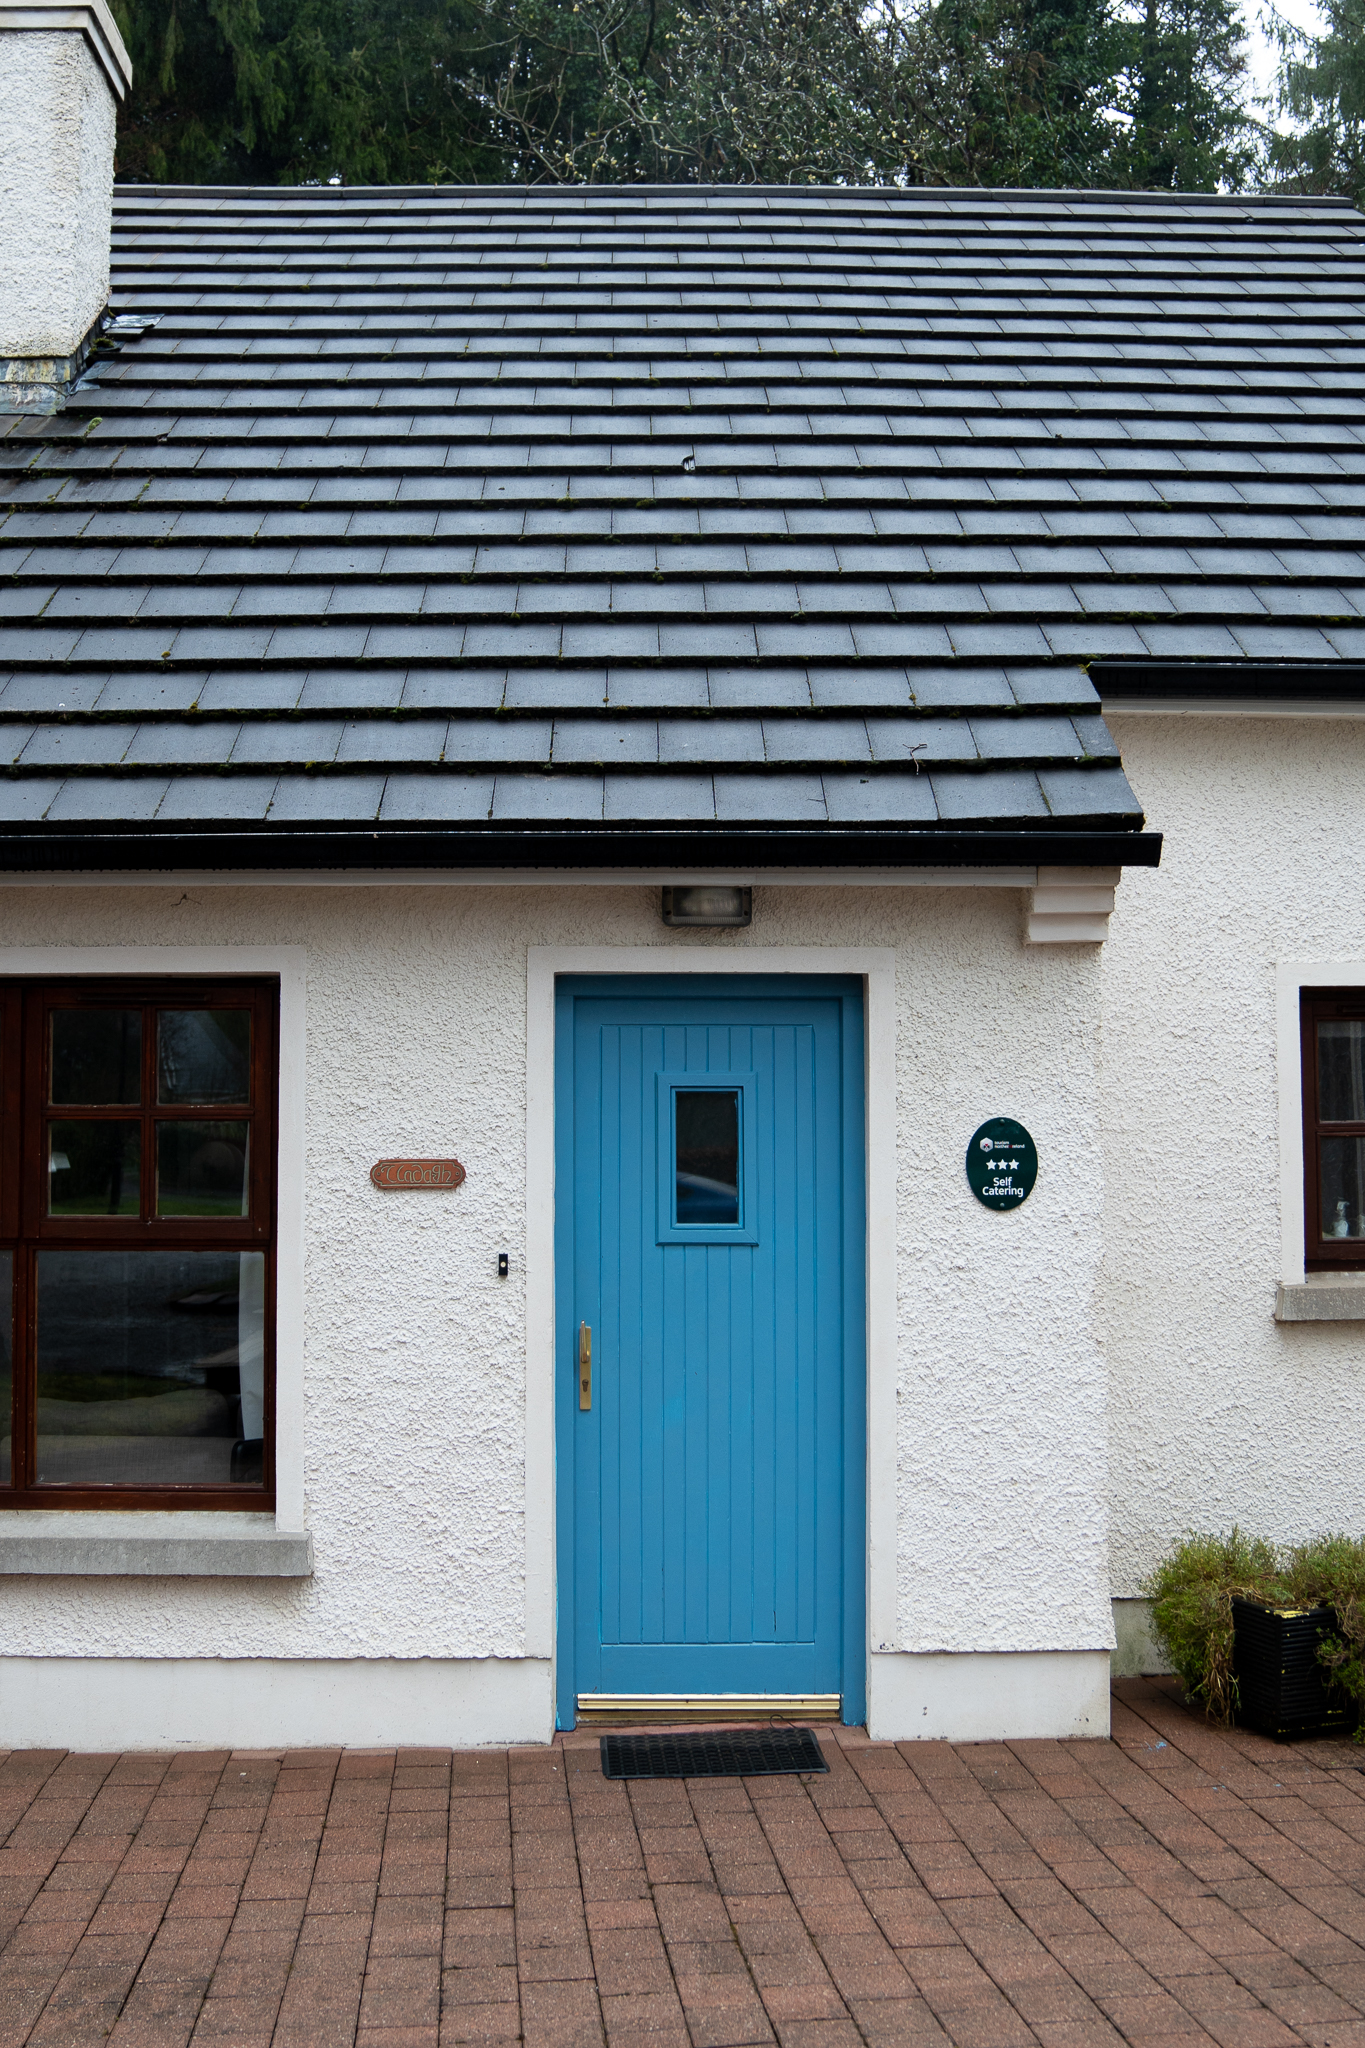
(138, 1244)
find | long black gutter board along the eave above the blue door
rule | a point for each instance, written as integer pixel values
(421, 847)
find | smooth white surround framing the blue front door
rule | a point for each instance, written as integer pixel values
(877, 968)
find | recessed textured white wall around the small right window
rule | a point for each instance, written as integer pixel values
(1219, 1414)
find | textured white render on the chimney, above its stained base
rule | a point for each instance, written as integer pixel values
(56, 187)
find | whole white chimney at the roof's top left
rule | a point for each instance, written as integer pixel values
(62, 75)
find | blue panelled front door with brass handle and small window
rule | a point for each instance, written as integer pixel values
(711, 1281)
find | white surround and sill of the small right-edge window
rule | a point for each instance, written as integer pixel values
(1301, 1297)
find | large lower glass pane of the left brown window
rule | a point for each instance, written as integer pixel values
(150, 1367)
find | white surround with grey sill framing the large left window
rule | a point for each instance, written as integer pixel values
(193, 1541)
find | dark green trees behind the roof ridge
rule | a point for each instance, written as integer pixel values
(977, 93)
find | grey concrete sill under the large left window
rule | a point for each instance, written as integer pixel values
(177, 1545)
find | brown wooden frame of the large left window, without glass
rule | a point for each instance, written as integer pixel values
(28, 1230)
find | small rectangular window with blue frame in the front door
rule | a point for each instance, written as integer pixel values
(707, 1158)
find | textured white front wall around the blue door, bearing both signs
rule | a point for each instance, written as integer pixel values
(416, 1355)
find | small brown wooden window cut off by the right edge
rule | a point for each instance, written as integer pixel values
(1333, 1048)
